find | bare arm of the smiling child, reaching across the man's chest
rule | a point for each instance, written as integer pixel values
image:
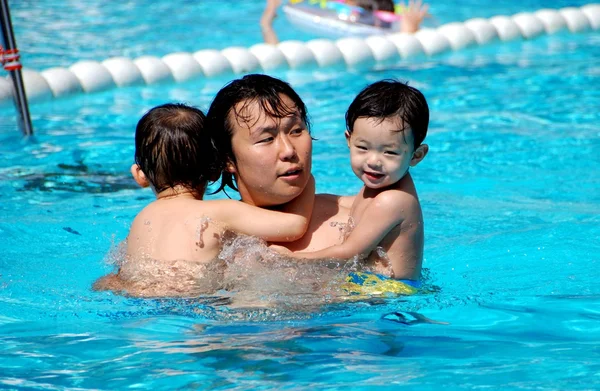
(378, 220)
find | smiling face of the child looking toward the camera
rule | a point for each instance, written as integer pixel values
(381, 152)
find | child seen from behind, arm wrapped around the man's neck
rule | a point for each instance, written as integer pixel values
(176, 158)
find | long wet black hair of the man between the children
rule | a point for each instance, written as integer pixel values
(265, 90)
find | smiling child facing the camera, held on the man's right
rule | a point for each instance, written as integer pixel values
(387, 123)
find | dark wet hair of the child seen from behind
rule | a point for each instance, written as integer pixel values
(173, 148)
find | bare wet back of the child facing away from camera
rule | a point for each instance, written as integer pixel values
(171, 250)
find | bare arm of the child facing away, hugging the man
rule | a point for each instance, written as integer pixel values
(270, 225)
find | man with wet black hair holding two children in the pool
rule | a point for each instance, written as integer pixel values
(260, 126)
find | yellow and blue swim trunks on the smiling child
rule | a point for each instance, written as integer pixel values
(365, 283)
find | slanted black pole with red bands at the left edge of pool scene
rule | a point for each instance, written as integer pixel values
(13, 66)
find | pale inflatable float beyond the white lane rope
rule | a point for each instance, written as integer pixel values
(335, 18)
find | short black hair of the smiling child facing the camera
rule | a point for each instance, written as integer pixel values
(391, 98)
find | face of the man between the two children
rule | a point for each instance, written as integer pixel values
(273, 155)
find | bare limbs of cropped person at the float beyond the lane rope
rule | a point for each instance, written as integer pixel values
(412, 15)
